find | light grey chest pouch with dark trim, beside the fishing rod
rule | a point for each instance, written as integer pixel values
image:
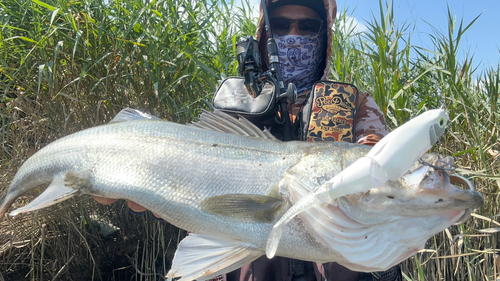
(233, 98)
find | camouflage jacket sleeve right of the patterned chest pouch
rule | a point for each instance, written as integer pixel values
(370, 126)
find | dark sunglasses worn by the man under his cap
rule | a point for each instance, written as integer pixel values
(306, 27)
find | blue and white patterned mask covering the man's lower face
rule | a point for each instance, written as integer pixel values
(300, 59)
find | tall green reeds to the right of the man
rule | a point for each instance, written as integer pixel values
(406, 79)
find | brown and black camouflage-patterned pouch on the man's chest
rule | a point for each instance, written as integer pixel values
(329, 113)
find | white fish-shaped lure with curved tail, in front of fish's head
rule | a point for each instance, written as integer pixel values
(389, 159)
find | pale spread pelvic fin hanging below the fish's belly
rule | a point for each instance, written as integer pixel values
(201, 256)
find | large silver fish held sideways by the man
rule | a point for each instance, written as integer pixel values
(229, 190)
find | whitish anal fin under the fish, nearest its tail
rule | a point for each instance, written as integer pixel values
(58, 190)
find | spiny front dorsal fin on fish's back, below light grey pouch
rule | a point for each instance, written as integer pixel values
(221, 122)
